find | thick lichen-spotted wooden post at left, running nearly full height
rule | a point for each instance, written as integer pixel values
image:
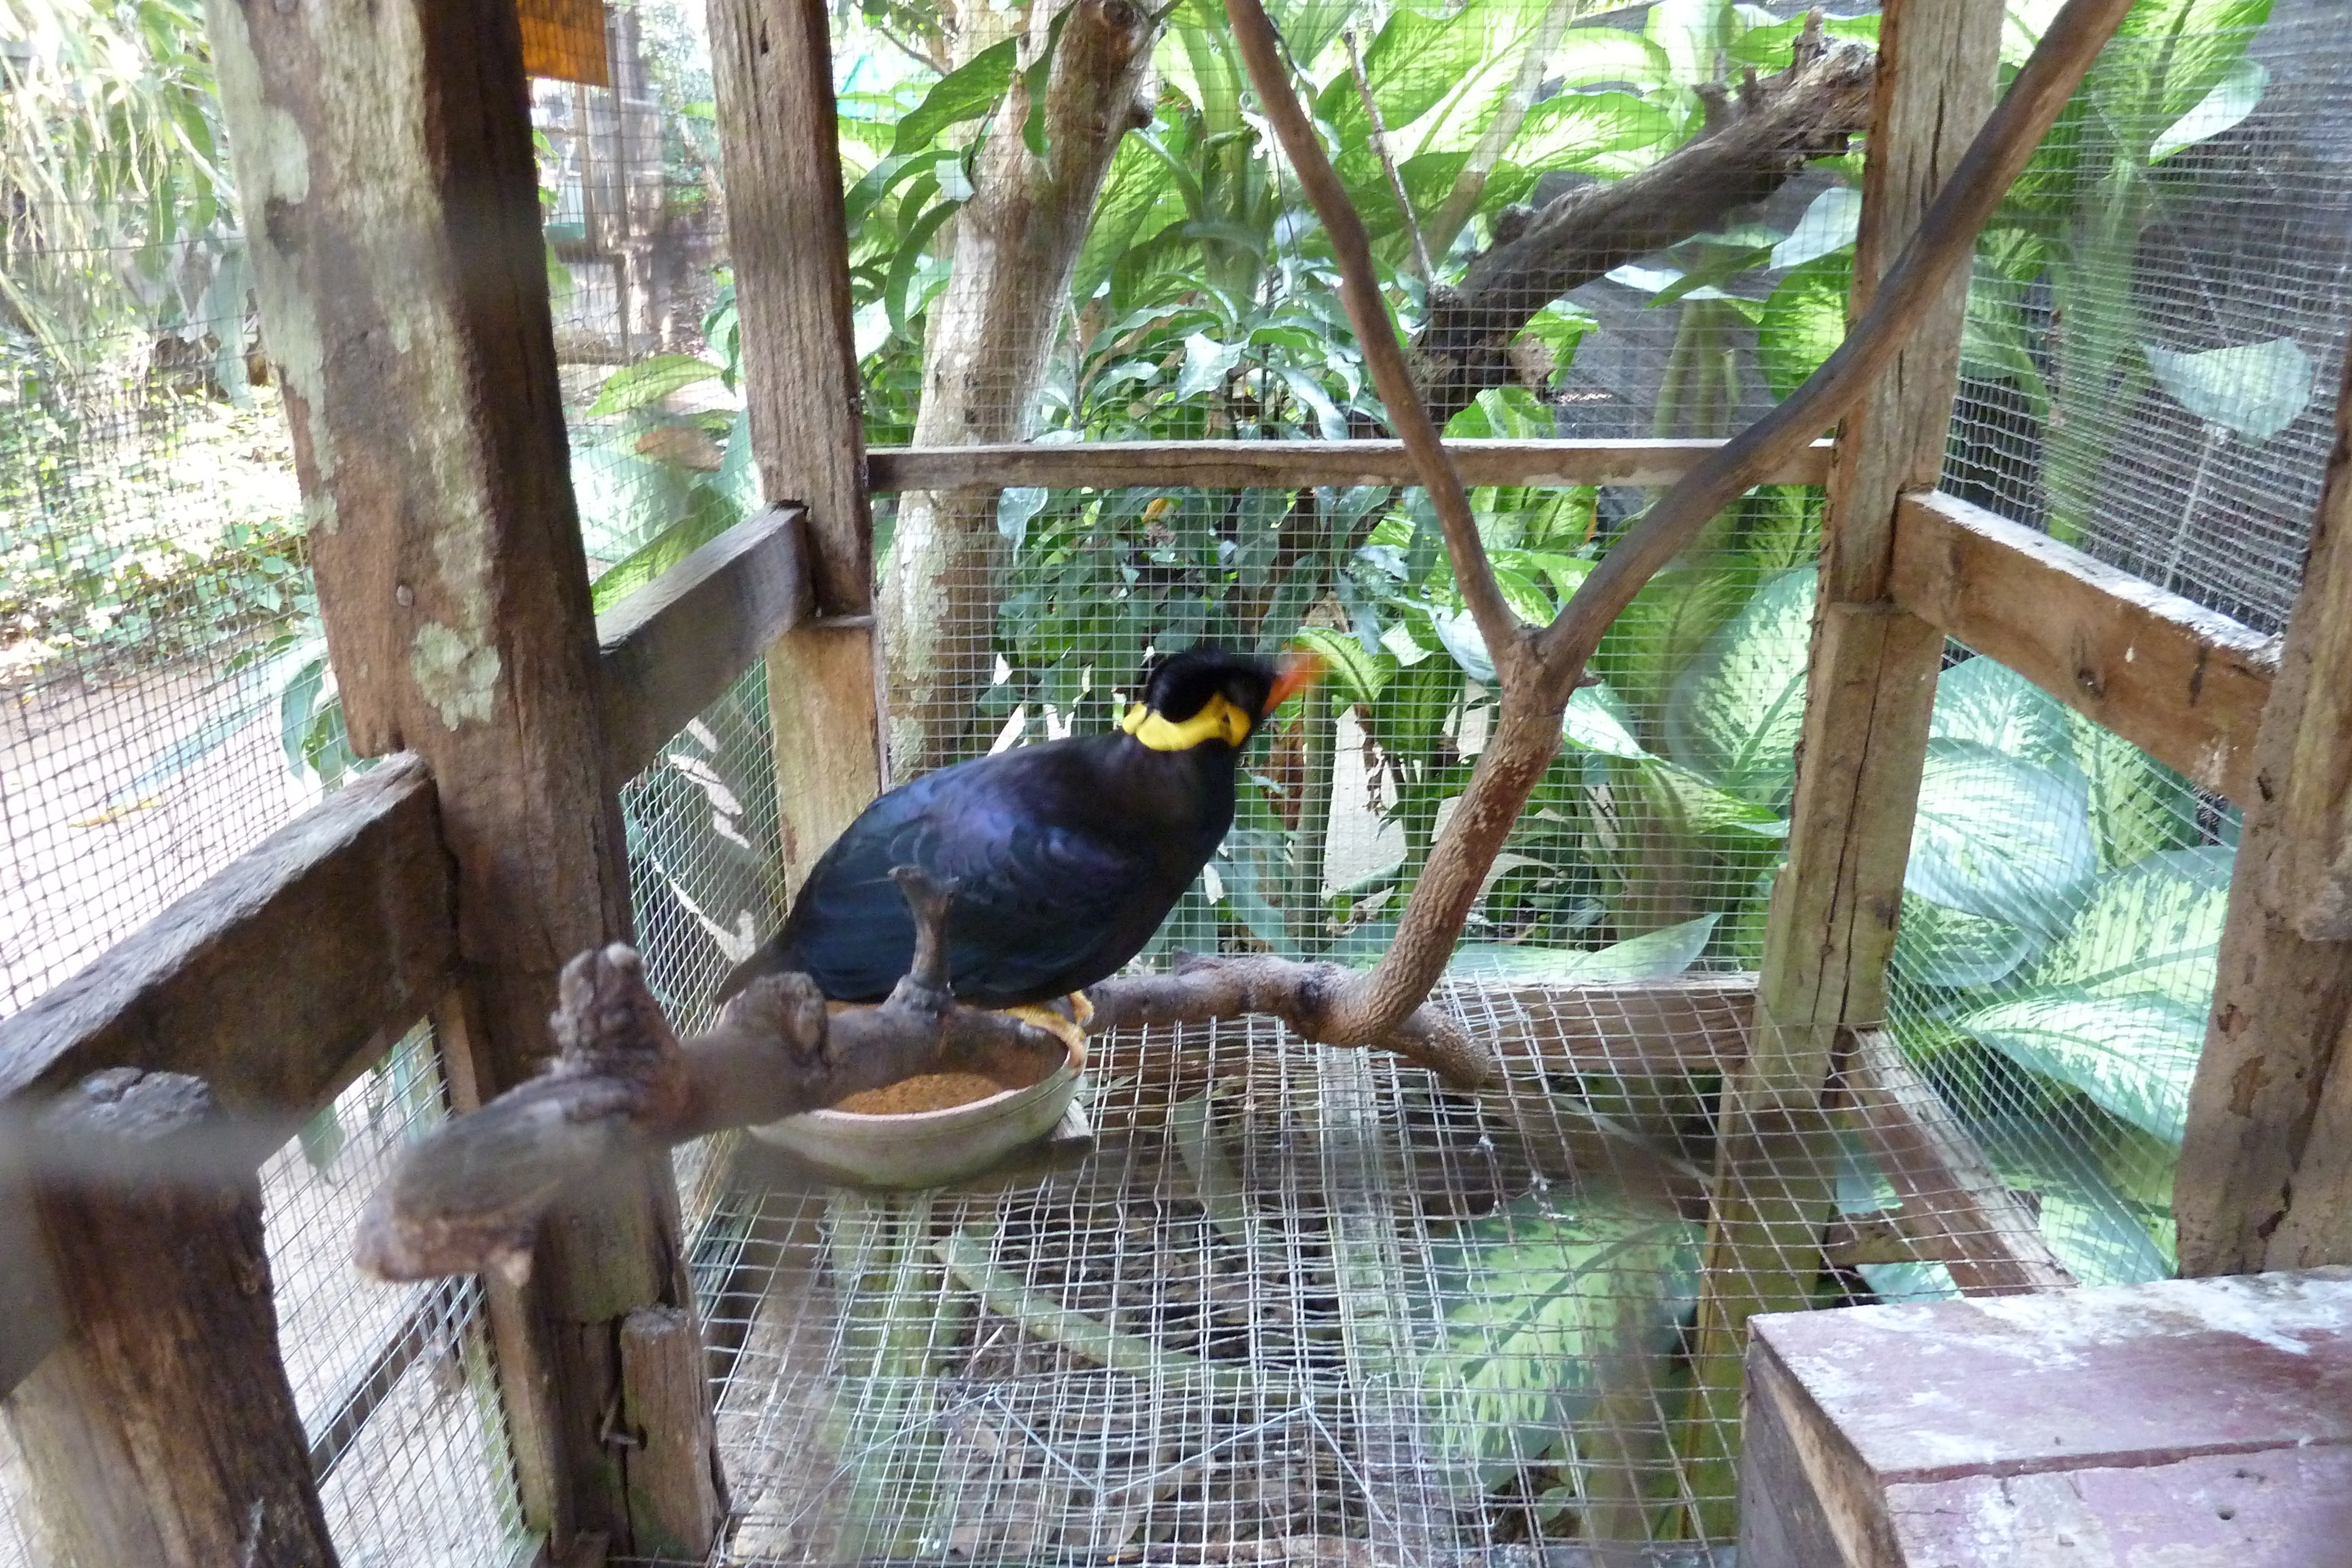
(385, 163)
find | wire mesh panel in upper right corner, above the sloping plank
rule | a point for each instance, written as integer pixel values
(2156, 316)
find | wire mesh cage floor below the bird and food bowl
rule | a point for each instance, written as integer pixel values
(1295, 1306)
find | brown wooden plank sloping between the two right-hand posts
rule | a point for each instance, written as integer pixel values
(2165, 674)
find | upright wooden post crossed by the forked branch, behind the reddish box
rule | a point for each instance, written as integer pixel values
(1869, 697)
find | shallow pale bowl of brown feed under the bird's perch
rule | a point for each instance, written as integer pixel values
(928, 1148)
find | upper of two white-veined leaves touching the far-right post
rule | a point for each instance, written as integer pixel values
(2151, 927)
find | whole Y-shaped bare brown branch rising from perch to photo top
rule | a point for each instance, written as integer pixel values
(1542, 671)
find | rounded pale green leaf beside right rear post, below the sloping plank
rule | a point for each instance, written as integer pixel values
(2000, 838)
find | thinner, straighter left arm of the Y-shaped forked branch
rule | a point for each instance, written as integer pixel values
(1361, 290)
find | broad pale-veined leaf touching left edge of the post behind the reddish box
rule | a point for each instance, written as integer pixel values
(1737, 711)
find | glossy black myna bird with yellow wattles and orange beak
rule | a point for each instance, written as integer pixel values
(1067, 857)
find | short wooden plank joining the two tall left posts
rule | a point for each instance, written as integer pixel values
(676, 645)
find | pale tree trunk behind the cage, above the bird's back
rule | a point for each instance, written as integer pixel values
(987, 354)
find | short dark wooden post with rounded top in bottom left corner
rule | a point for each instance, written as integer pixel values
(163, 1430)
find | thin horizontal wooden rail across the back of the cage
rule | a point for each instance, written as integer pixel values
(1299, 464)
